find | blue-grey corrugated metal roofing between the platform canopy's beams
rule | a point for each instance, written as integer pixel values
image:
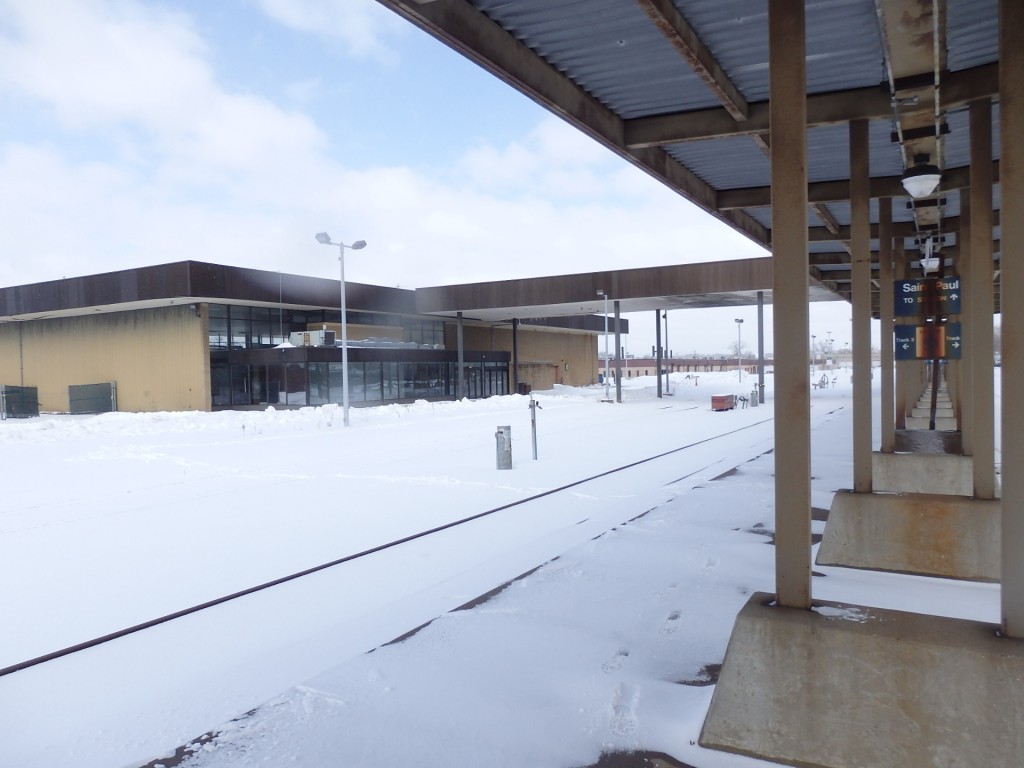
(621, 59)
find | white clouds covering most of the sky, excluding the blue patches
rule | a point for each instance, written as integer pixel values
(200, 173)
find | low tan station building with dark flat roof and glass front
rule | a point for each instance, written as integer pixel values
(195, 336)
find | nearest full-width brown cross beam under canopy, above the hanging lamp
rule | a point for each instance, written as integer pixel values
(873, 103)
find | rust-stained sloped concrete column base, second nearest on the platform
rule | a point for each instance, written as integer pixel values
(951, 537)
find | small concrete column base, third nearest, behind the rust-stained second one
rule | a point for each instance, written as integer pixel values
(923, 474)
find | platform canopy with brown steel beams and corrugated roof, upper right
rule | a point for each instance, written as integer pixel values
(680, 90)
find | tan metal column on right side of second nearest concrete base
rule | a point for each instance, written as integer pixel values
(983, 301)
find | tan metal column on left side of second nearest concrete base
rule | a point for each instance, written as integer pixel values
(861, 275)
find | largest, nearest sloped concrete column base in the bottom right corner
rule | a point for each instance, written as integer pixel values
(840, 687)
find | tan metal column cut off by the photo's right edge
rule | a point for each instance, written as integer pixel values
(1012, 278)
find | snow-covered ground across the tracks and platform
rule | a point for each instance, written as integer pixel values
(610, 647)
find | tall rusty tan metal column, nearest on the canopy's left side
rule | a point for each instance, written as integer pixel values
(787, 63)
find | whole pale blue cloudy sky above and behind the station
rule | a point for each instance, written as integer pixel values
(136, 133)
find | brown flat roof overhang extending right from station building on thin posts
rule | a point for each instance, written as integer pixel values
(716, 284)
